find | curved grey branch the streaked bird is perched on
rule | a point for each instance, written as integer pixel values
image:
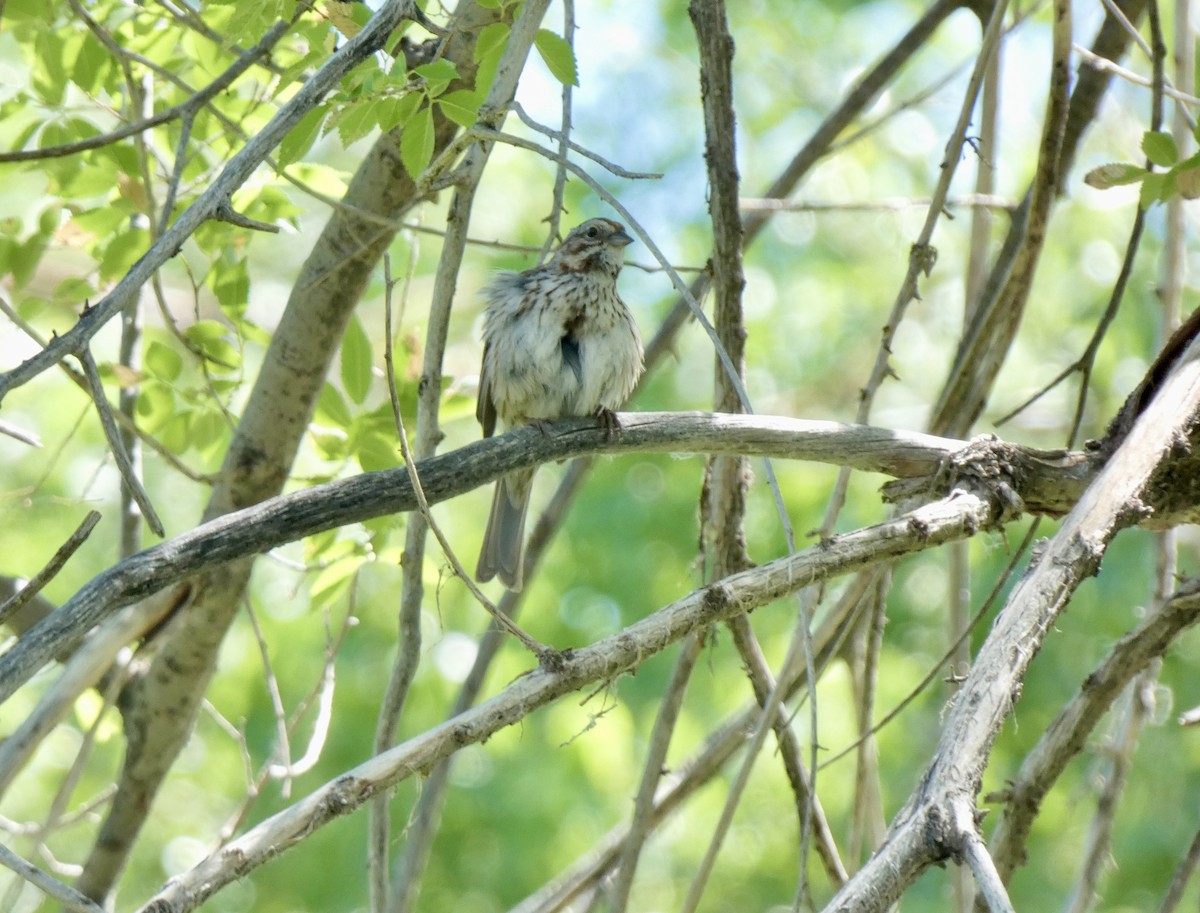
(1041, 479)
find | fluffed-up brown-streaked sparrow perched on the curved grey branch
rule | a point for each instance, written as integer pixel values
(559, 343)
